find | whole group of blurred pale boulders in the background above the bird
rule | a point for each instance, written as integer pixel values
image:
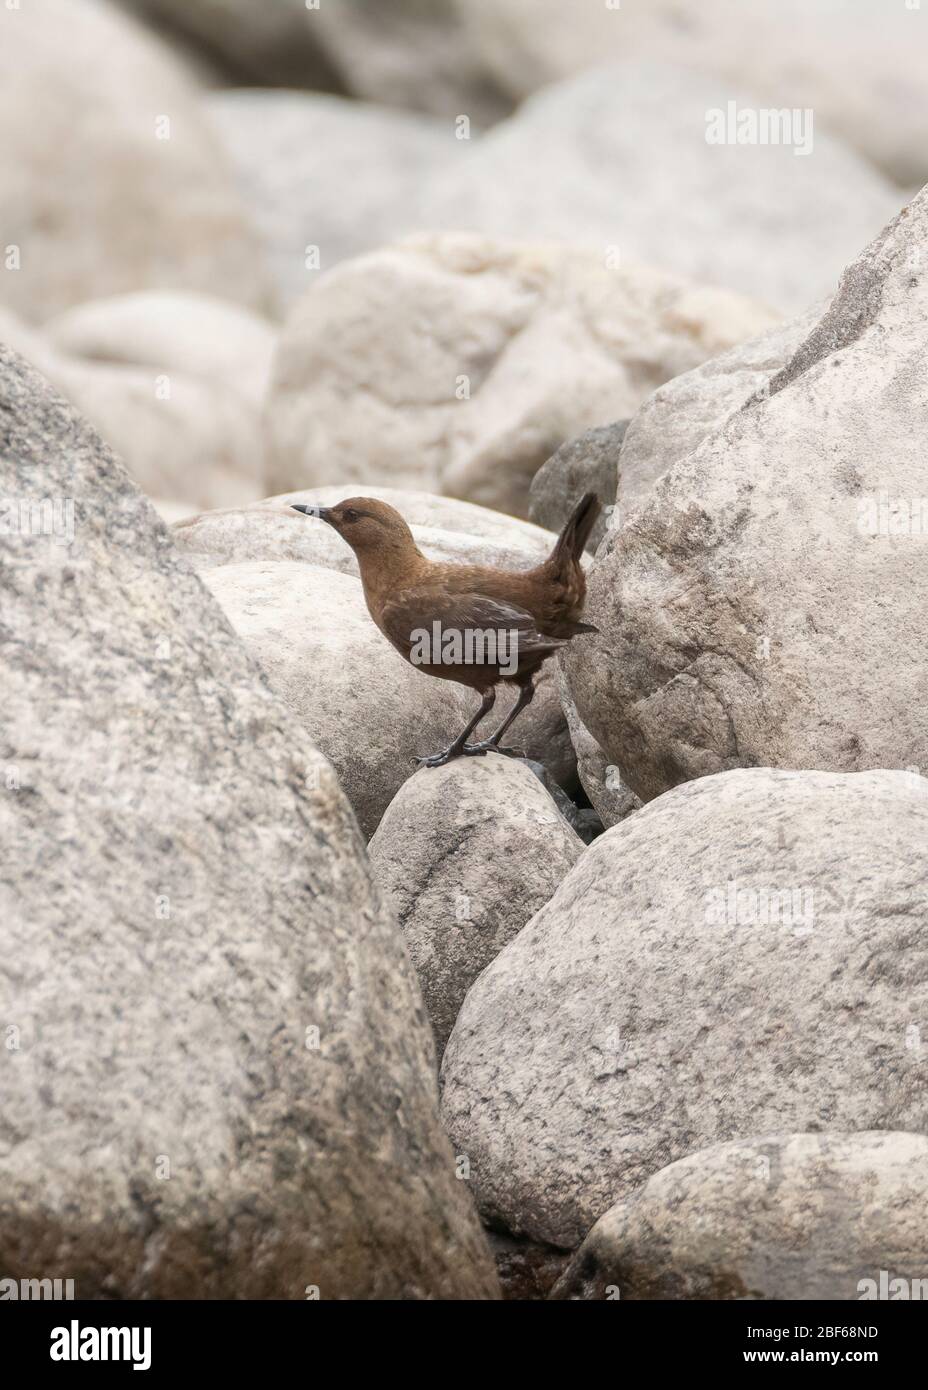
(217, 190)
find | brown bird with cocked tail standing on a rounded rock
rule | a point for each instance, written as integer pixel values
(467, 623)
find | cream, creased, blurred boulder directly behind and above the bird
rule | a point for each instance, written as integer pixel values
(459, 365)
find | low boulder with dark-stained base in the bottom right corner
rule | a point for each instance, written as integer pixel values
(783, 1217)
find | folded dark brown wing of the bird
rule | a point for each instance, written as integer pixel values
(411, 615)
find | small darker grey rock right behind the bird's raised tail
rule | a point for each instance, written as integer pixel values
(586, 465)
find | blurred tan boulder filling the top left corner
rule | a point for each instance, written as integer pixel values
(110, 179)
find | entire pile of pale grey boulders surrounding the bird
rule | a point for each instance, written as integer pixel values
(673, 961)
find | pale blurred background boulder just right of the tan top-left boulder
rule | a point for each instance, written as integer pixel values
(327, 179)
